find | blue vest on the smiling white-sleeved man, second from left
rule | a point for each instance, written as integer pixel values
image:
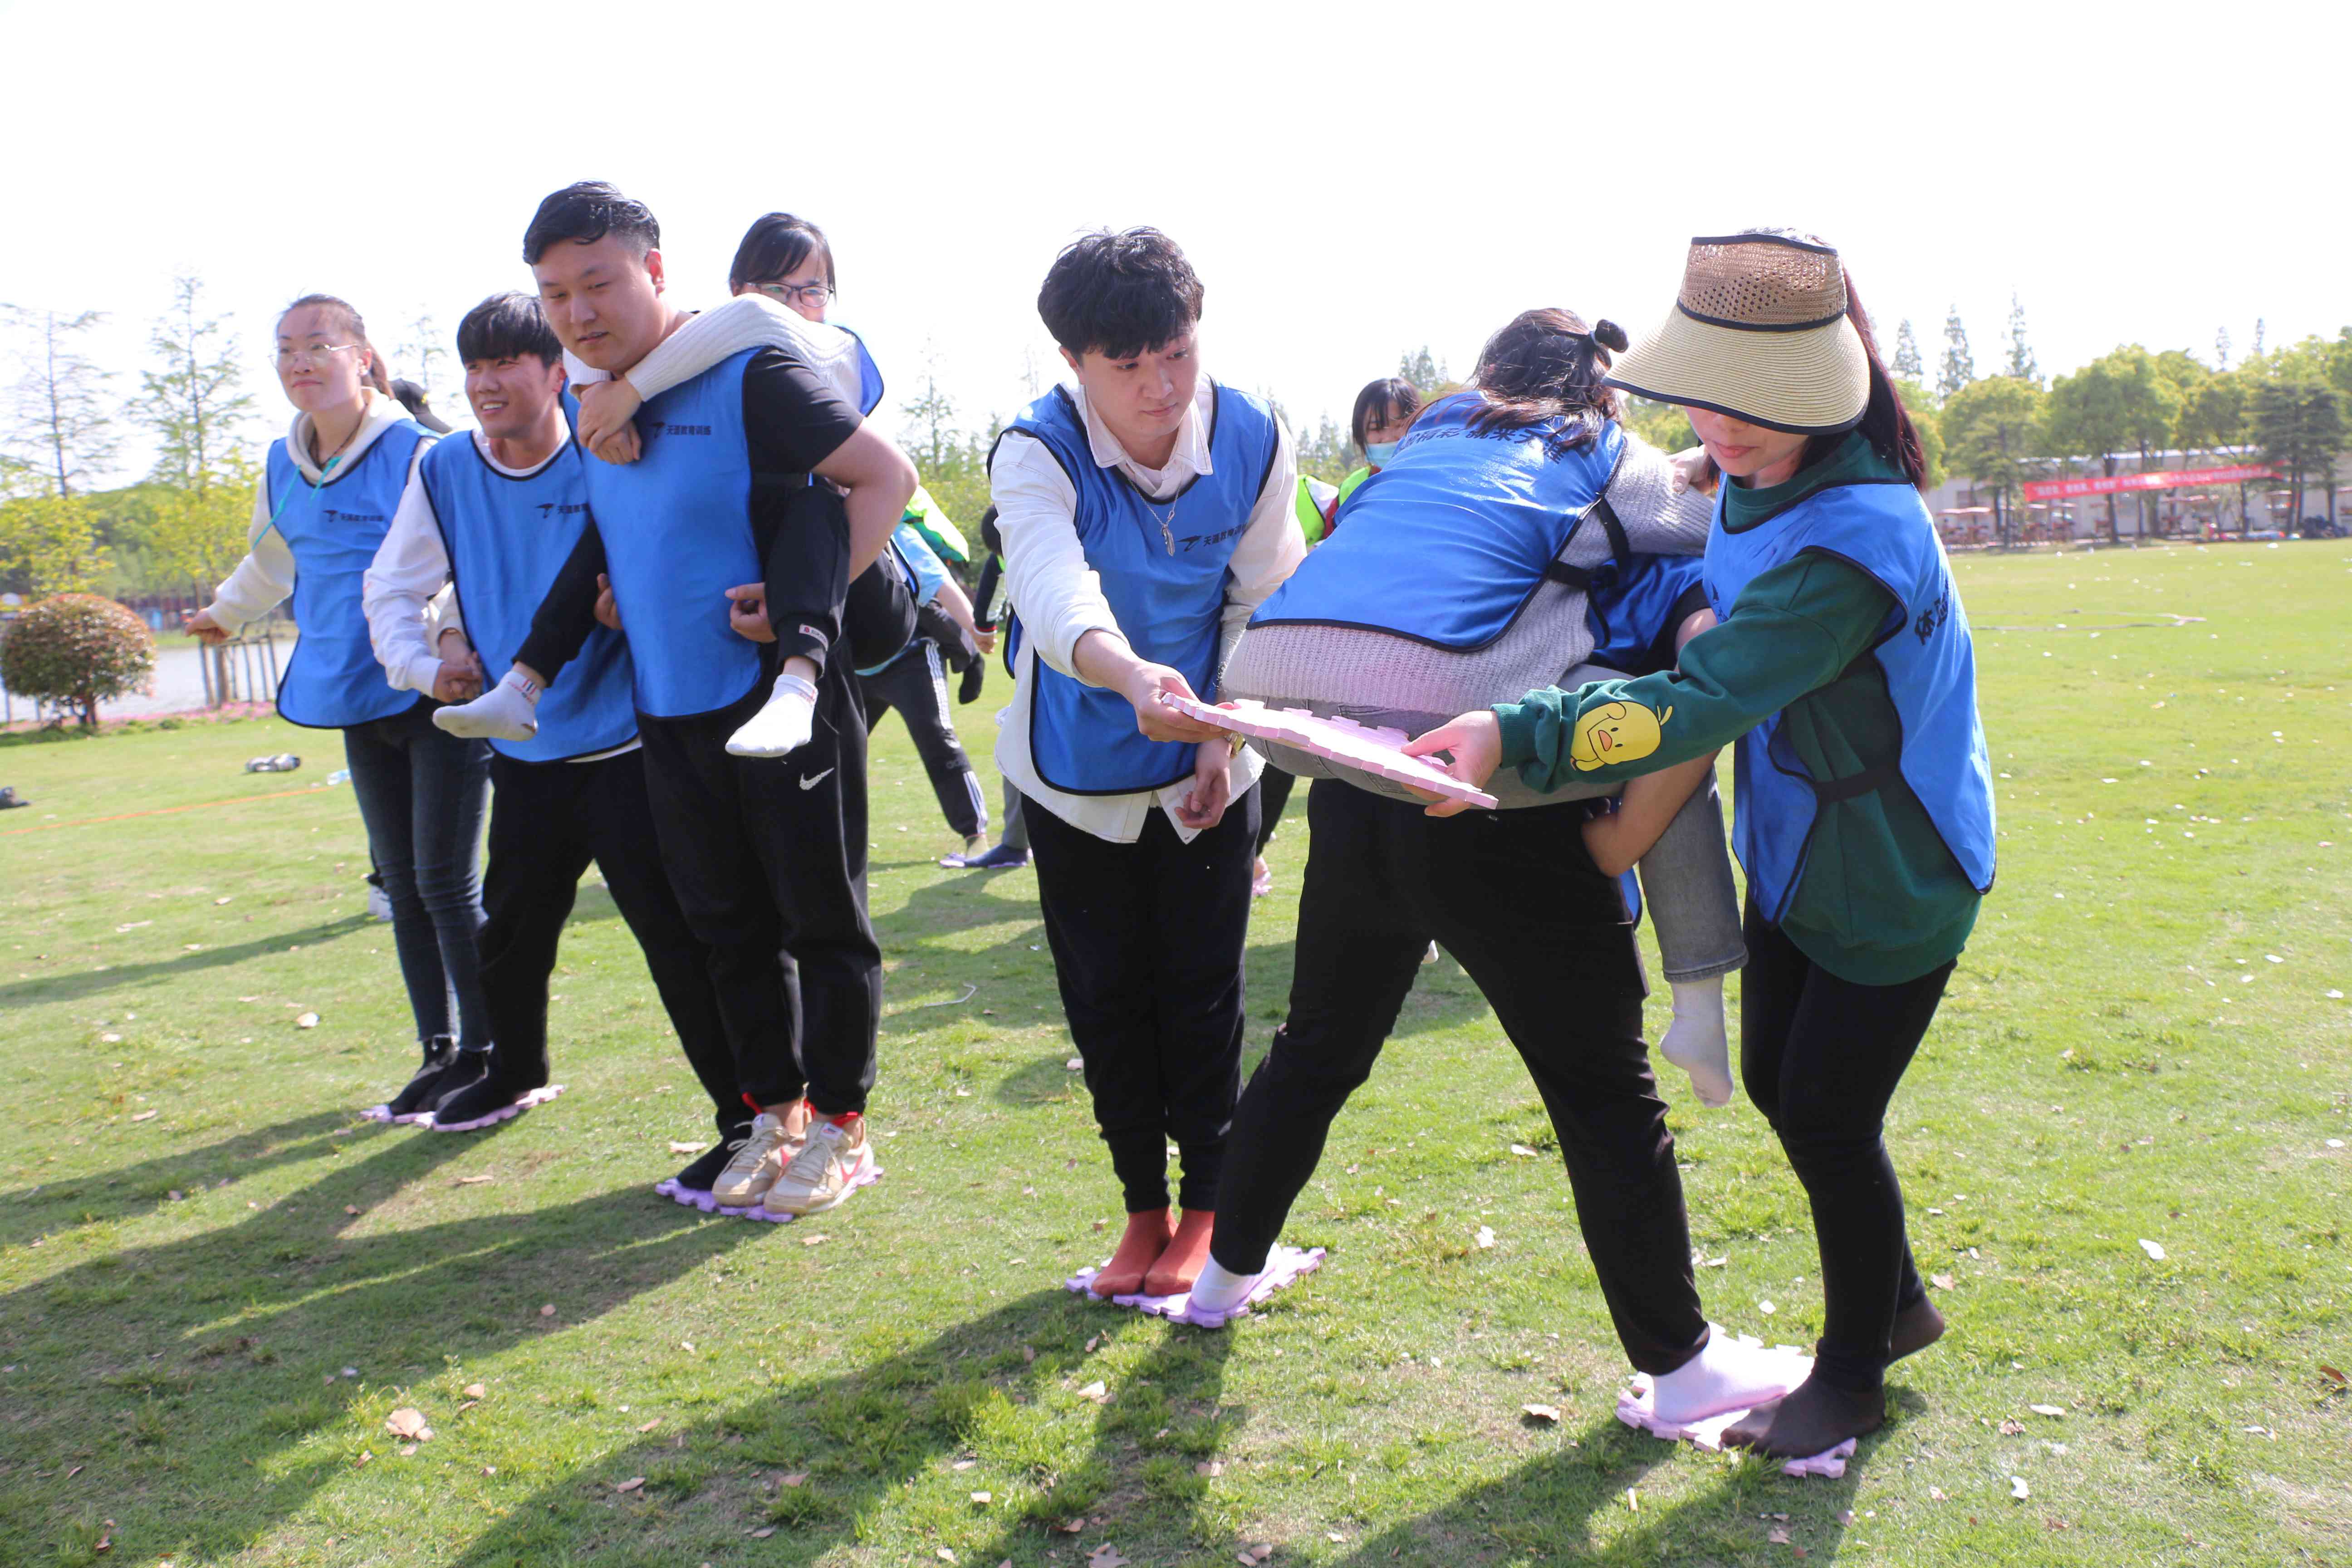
(507, 540)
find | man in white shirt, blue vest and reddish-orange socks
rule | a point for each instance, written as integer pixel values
(1144, 514)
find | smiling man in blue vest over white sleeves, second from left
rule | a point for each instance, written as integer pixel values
(497, 516)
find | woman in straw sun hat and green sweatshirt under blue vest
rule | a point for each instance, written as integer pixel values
(1864, 800)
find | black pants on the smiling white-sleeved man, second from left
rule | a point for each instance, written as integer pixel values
(547, 824)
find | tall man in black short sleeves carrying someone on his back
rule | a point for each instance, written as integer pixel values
(768, 855)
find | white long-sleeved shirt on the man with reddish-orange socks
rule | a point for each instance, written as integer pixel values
(1060, 596)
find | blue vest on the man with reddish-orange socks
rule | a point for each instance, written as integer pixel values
(1163, 568)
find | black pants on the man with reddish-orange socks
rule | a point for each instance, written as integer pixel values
(1149, 953)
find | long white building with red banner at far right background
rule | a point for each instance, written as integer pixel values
(1965, 509)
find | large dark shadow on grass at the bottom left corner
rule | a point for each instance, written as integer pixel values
(189, 1374)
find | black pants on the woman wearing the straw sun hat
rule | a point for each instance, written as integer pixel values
(1822, 1059)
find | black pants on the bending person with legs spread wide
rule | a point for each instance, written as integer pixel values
(1518, 902)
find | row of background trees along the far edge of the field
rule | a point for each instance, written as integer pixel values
(182, 528)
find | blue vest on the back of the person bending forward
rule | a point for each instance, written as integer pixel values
(1452, 540)
